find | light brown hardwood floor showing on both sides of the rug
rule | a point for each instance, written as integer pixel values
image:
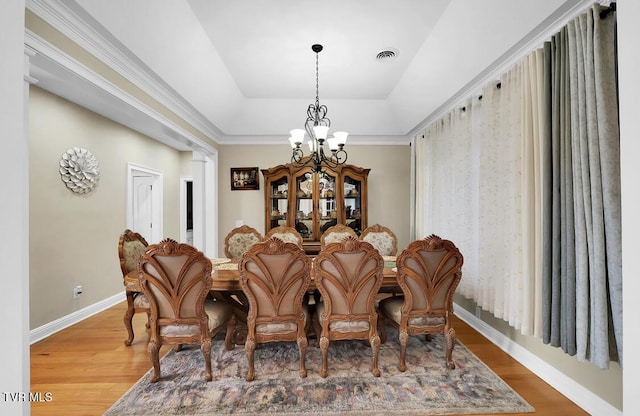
(87, 367)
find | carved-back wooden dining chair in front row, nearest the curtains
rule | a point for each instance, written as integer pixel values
(429, 271)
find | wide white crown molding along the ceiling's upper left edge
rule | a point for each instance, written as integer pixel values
(73, 22)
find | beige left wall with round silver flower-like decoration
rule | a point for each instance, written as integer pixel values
(73, 238)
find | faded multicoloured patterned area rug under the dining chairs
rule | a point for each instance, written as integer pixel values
(426, 388)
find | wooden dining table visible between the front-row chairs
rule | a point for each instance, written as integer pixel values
(225, 286)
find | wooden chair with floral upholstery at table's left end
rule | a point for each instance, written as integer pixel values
(131, 246)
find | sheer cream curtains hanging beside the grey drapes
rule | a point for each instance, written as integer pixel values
(481, 190)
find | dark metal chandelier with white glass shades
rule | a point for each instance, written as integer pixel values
(317, 128)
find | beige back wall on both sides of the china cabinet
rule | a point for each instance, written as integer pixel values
(388, 185)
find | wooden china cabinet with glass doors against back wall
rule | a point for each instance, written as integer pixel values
(312, 202)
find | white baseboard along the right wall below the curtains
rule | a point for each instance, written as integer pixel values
(581, 396)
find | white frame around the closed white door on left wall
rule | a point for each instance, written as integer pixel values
(156, 195)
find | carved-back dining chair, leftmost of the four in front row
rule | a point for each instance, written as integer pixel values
(176, 279)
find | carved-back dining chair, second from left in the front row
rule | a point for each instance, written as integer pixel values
(275, 275)
